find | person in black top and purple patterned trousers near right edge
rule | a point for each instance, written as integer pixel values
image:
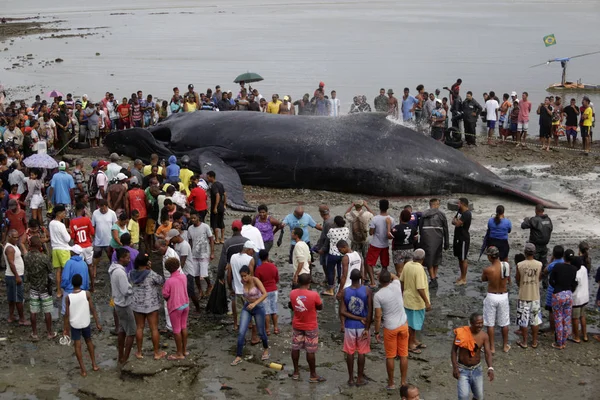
(563, 279)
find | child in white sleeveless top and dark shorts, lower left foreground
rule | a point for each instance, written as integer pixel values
(77, 316)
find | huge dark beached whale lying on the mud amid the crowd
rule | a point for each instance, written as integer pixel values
(360, 153)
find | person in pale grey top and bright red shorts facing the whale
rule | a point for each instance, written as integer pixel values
(380, 228)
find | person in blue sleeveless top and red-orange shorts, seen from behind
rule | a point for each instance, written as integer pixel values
(357, 310)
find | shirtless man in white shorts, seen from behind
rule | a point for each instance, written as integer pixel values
(496, 310)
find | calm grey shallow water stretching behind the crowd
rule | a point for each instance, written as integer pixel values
(355, 47)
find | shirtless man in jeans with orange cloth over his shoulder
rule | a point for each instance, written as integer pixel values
(466, 358)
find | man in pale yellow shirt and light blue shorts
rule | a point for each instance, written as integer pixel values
(415, 294)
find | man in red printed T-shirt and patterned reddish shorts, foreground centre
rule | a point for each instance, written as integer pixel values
(305, 304)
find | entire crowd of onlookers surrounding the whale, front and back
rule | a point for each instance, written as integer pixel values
(121, 213)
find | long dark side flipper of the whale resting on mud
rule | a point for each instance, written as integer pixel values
(210, 161)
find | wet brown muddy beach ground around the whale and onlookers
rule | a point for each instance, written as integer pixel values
(47, 370)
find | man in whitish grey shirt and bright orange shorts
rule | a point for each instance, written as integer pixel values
(389, 307)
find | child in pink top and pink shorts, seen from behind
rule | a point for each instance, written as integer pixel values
(175, 293)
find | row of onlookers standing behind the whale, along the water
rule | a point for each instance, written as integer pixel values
(52, 124)
